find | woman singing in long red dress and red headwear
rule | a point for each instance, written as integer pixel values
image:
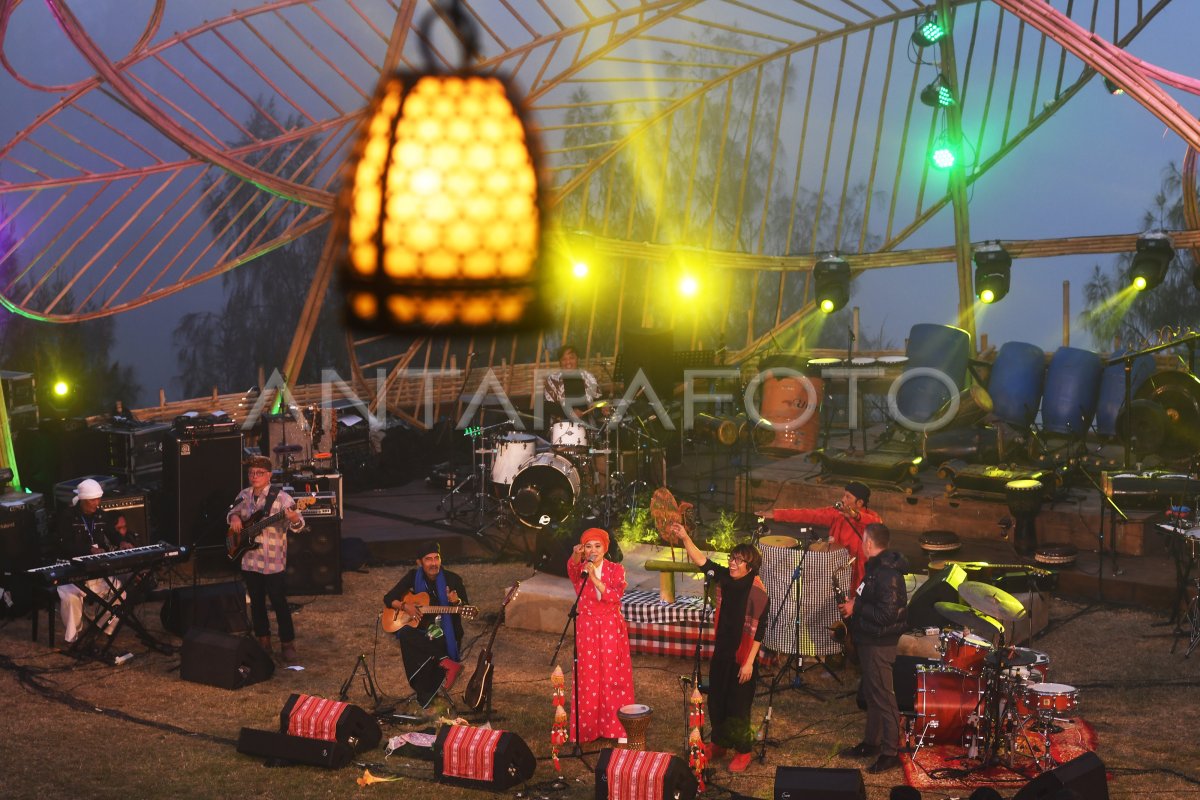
(605, 675)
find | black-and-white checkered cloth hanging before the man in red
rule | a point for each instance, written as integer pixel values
(819, 610)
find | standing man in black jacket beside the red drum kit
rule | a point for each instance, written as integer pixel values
(878, 617)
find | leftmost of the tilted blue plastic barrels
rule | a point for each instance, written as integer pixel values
(944, 348)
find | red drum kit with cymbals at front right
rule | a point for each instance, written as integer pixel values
(993, 701)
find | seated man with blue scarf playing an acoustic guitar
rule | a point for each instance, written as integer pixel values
(431, 649)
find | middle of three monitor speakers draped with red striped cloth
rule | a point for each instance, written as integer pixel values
(482, 759)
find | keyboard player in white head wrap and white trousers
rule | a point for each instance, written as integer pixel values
(85, 530)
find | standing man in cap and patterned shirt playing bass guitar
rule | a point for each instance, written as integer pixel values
(265, 569)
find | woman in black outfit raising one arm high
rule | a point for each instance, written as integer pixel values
(742, 611)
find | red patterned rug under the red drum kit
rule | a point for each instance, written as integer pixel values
(943, 768)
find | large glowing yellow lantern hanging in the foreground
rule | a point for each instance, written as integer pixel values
(440, 214)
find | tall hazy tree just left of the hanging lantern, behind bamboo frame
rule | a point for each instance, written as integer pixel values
(263, 300)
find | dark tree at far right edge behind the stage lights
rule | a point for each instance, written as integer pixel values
(1174, 304)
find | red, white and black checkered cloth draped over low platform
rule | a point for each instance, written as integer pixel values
(663, 629)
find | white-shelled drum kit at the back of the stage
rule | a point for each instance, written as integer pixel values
(537, 484)
